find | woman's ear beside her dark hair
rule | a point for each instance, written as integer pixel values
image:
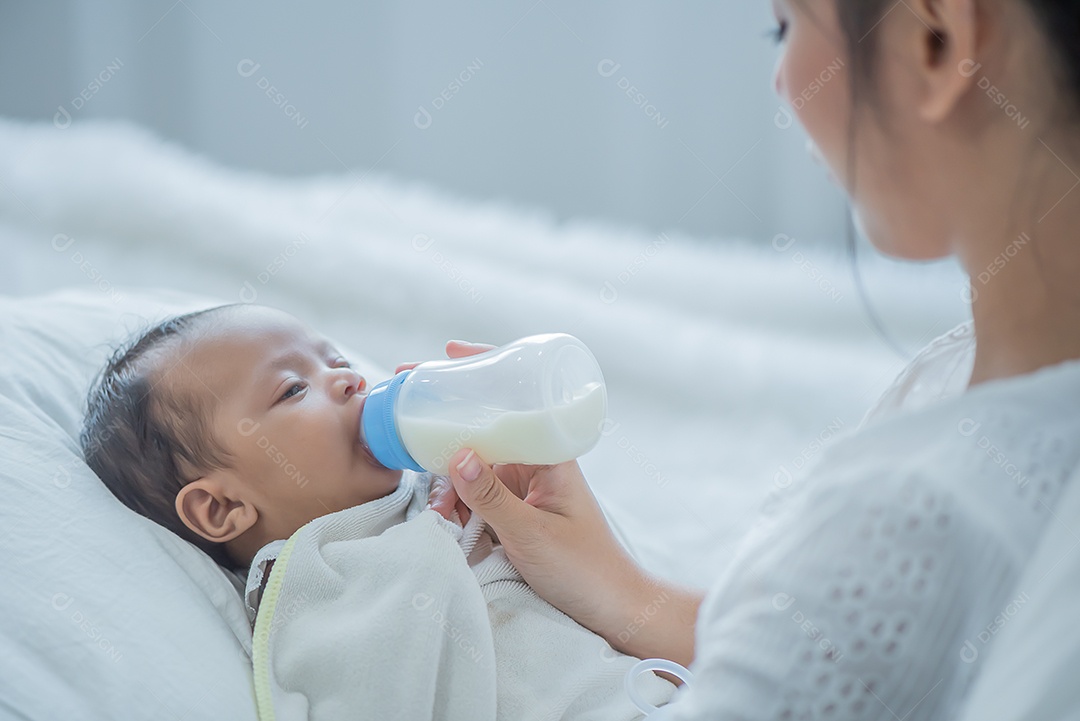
(947, 36)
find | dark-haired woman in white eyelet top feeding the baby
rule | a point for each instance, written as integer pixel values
(865, 596)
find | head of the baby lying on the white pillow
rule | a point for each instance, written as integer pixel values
(232, 427)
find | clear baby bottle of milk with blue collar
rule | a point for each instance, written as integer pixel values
(539, 401)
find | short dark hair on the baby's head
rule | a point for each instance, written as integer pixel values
(146, 441)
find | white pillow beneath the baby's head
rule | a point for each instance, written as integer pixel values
(103, 614)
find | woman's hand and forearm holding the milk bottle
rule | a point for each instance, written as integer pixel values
(557, 536)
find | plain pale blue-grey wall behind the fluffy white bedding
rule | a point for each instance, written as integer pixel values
(534, 120)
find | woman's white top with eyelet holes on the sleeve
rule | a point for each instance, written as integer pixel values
(874, 589)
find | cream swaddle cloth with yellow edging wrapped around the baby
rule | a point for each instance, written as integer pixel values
(386, 611)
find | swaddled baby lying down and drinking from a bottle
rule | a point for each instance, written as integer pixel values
(237, 428)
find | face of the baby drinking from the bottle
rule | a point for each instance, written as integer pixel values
(287, 412)
